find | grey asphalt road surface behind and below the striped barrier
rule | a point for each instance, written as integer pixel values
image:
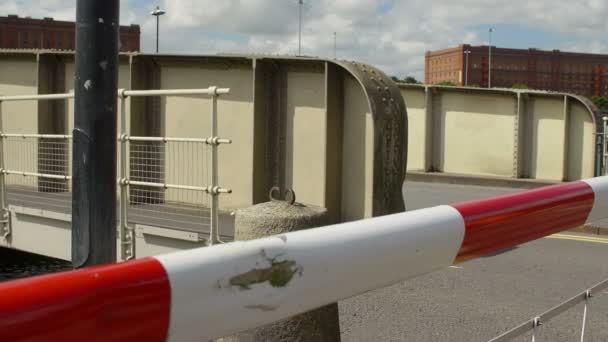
(483, 298)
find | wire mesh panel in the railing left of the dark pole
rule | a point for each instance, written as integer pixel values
(36, 170)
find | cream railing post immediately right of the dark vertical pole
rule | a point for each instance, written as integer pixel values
(127, 236)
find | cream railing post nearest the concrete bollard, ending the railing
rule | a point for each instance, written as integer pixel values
(214, 224)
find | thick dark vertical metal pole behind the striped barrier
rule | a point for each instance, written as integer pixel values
(94, 155)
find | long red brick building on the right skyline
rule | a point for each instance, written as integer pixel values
(578, 73)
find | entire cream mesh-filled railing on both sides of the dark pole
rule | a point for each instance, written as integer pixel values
(35, 171)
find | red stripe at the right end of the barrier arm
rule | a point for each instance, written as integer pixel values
(494, 224)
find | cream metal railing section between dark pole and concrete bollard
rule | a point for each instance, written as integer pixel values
(145, 155)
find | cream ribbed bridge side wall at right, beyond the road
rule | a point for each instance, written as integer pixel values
(503, 133)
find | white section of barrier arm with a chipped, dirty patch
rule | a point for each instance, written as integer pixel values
(258, 282)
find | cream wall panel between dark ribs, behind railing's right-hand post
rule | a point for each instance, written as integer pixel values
(189, 116)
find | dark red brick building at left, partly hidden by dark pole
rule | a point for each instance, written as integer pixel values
(28, 33)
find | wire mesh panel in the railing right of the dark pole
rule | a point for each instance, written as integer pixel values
(183, 164)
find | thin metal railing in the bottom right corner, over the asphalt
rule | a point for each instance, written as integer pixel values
(534, 323)
